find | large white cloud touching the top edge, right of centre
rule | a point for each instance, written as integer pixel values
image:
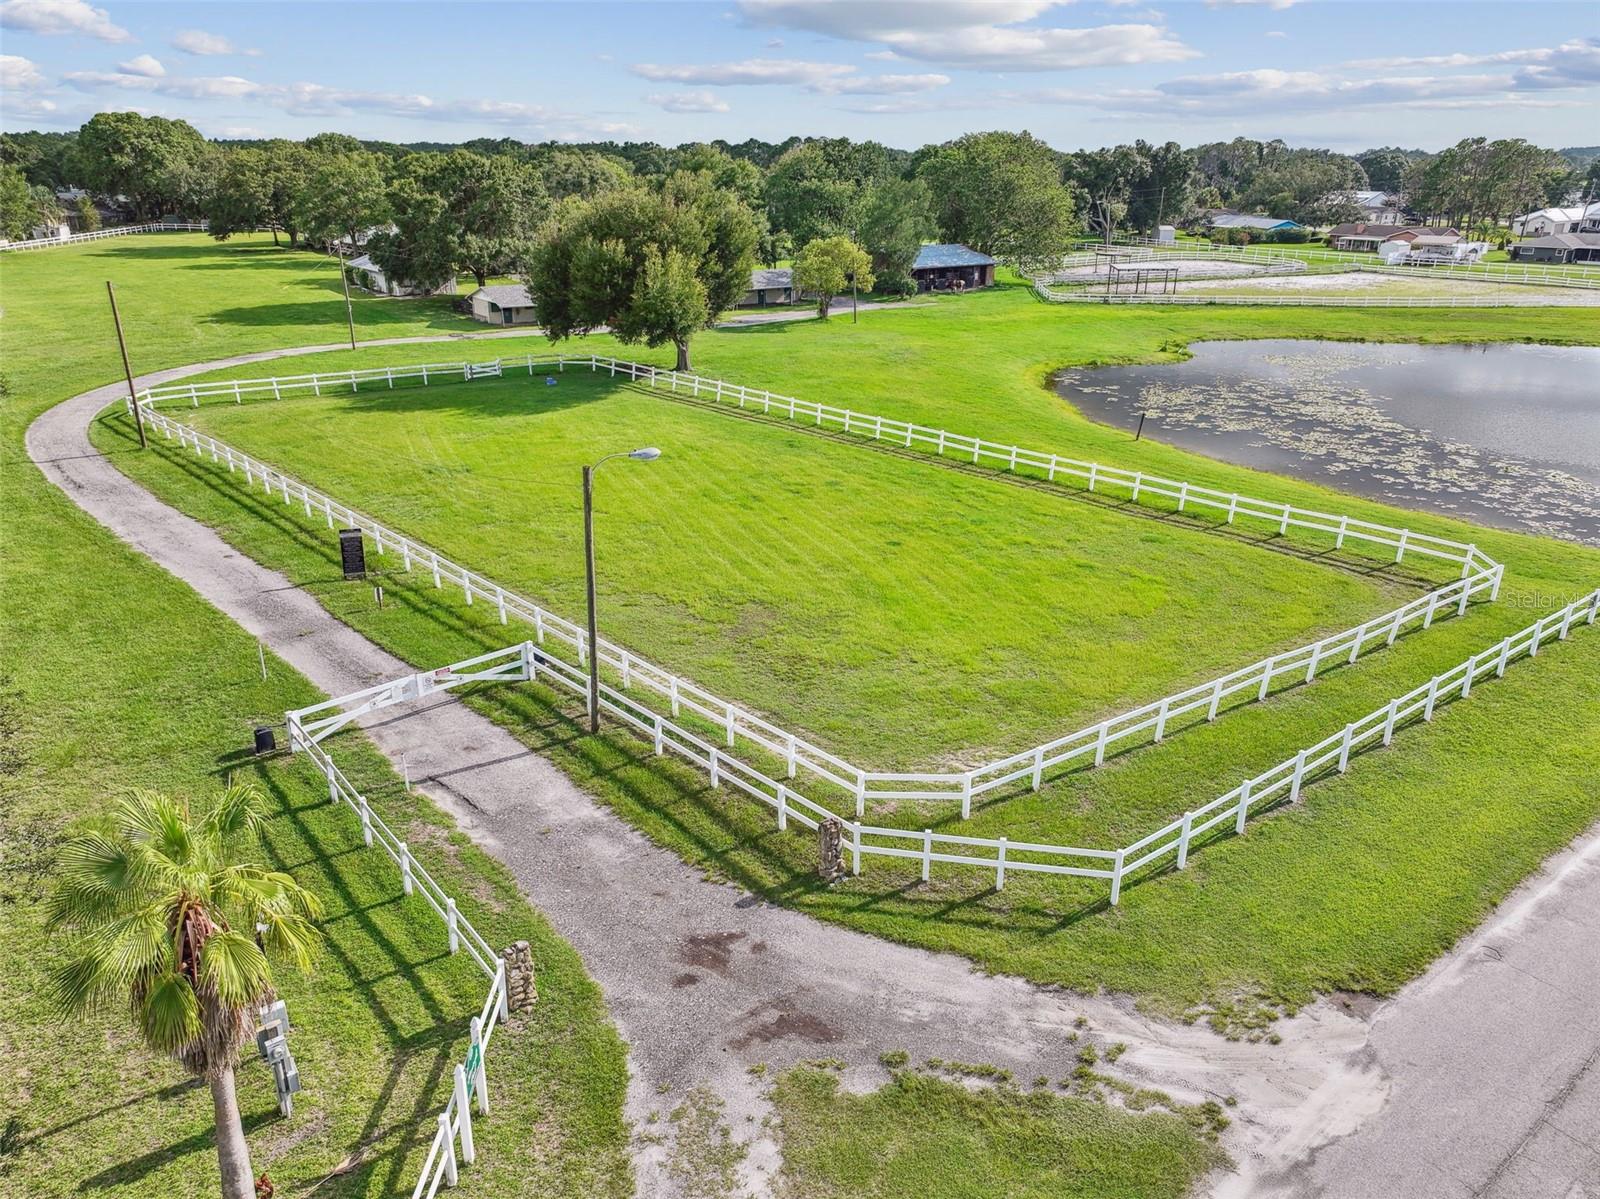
(974, 34)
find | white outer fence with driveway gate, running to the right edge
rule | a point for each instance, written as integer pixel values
(1178, 838)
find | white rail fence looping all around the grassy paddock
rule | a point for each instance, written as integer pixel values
(1151, 723)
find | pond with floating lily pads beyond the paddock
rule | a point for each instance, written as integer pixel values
(1502, 435)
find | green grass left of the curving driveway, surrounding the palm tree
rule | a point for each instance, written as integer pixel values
(114, 675)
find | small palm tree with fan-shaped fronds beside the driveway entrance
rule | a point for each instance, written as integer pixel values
(174, 918)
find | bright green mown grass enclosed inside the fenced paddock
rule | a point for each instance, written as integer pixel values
(900, 614)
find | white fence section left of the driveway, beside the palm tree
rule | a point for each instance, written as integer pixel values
(471, 1078)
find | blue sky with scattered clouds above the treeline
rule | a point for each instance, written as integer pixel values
(1079, 74)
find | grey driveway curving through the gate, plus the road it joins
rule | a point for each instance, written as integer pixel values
(706, 982)
